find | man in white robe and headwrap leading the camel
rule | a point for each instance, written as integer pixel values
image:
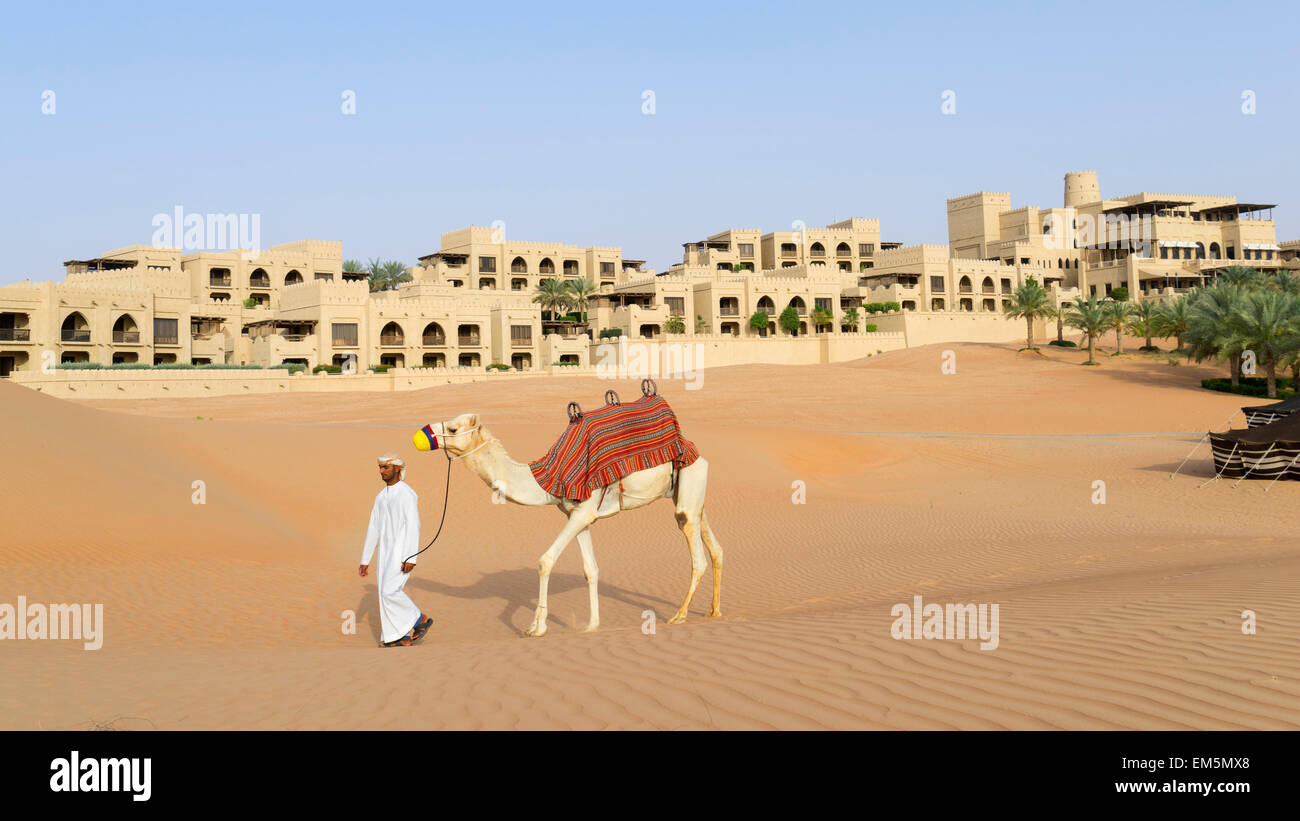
(396, 531)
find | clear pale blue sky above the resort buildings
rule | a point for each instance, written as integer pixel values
(532, 114)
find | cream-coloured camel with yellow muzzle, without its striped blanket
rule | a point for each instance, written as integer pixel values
(467, 441)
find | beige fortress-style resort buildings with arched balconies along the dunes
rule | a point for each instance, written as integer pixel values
(471, 303)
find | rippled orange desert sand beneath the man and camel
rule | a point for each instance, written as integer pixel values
(974, 486)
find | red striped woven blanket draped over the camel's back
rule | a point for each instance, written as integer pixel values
(601, 448)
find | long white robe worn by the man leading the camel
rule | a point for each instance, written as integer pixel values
(396, 531)
